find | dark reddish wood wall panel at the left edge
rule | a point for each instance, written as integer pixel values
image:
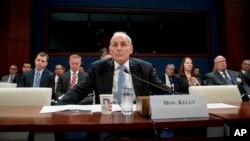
(15, 38)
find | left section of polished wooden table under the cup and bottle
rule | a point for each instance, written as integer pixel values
(28, 118)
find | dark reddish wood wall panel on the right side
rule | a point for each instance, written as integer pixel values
(234, 49)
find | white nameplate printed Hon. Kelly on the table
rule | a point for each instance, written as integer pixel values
(177, 106)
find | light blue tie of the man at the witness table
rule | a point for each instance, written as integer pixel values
(121, 79)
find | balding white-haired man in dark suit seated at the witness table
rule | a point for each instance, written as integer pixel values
(104, 76)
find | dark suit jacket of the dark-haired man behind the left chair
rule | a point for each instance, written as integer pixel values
(47, 79)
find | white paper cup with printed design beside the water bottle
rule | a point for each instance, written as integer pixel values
(106, 101)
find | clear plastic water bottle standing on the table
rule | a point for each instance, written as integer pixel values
(127, 100)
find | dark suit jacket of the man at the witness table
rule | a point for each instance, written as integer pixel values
(100, 79)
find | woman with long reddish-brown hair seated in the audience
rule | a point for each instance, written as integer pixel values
(187, 76)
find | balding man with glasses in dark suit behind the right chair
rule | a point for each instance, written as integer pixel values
(223, 76)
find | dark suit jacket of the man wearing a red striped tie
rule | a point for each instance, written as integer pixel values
(63, 85)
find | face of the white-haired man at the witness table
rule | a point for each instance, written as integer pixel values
(120, 49)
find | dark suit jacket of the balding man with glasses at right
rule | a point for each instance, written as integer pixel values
(215, 78)
